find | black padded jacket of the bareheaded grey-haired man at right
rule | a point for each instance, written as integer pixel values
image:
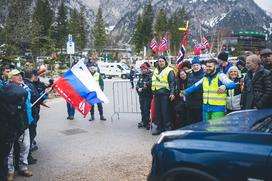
(257, 90)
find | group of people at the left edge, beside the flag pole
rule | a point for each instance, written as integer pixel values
(21, 95)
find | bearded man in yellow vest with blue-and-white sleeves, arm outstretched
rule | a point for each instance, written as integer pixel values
(214, 85)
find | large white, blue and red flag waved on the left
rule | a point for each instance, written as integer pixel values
(78, 87)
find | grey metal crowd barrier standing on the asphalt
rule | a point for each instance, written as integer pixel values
(125, 99)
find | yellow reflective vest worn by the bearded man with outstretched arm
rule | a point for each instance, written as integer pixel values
(210, 95)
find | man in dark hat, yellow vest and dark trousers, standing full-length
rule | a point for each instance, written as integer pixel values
(163, 86)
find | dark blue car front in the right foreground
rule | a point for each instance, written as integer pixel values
(236, 147)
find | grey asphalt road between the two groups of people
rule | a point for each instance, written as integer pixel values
(77, 149)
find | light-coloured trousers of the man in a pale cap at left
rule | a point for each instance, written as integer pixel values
(24, 145)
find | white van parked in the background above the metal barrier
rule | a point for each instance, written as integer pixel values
(109, 70)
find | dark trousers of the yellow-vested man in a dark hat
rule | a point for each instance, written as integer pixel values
(163, 112)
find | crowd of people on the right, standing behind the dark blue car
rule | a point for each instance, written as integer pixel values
(202, 91)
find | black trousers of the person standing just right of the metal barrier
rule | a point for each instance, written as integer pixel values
(145, 104)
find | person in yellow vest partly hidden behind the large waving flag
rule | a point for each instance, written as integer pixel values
(100, 82)
